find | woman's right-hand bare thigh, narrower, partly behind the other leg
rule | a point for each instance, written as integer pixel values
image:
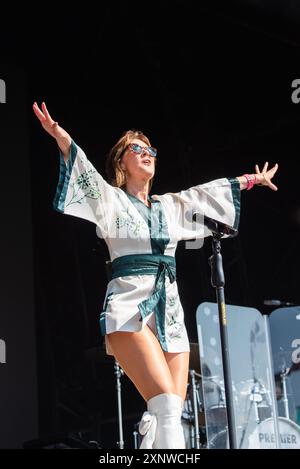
(178, 364)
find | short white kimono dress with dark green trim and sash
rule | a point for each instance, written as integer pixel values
(132, 231)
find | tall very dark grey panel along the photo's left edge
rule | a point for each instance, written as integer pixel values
(18, 373)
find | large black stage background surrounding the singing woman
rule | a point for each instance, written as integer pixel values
(211, 87)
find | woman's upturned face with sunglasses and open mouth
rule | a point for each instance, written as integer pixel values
(138, 164)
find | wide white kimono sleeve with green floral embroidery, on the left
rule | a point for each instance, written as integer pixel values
(82, 191)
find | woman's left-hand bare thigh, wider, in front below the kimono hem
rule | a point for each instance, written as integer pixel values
(142, 359)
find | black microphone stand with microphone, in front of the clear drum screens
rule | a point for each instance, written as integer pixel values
(218, 230)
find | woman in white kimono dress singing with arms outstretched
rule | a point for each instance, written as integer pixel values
(142, 318)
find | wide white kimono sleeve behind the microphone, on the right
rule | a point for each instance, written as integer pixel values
(218, 199)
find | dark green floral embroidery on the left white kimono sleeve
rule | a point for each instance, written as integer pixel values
(85, 186)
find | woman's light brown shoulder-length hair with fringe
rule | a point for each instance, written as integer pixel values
(115, 174)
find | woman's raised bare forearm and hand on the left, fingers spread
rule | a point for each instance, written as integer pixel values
(62, 138)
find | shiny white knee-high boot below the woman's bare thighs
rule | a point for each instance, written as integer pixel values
(161, 425)
